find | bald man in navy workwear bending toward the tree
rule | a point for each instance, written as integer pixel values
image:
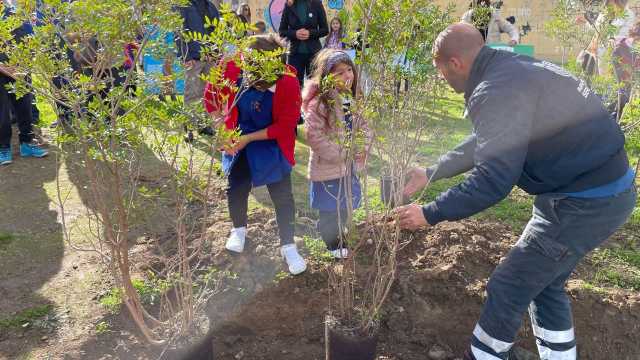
(537, 126)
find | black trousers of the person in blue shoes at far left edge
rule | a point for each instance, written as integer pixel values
(22, 108)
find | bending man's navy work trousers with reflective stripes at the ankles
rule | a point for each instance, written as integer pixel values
(560, 233)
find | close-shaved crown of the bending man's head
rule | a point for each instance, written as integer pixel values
(462, 41)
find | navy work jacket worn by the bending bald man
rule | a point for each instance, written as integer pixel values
(535, 125)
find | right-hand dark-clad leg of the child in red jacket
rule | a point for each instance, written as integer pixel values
(282, 196)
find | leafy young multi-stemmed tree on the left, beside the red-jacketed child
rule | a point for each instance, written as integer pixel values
(111, 127)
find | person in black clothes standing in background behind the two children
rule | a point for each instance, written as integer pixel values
(303, 23)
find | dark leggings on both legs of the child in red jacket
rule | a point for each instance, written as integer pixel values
(281, 194)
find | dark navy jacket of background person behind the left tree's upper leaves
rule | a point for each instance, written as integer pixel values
(194, 20)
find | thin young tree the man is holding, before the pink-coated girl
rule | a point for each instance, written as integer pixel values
(400, 91)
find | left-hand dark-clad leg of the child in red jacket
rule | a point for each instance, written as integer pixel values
(238, 191)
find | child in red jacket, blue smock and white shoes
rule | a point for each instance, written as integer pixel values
(266, 115)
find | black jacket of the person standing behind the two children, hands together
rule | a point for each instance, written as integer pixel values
(315, 22)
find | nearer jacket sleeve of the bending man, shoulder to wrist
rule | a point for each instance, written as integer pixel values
(503, 131)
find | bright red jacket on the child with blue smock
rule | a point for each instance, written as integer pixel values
(285, 112)
